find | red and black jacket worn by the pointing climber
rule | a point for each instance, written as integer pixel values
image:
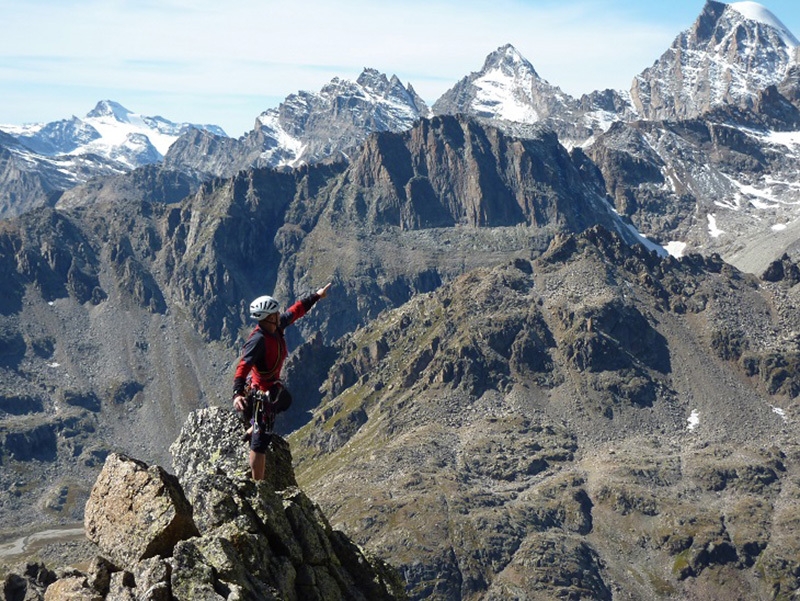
(263, 354)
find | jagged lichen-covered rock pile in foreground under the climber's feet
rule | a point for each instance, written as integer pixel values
(226, 537)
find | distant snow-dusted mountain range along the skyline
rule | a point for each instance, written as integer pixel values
(731, 54)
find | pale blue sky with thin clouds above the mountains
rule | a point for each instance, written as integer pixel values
(207, 61)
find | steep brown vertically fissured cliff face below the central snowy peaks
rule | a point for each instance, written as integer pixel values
(454, 171)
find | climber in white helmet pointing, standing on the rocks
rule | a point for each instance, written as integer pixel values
(262, 359)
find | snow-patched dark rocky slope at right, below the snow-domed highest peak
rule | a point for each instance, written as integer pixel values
(723, 183)
